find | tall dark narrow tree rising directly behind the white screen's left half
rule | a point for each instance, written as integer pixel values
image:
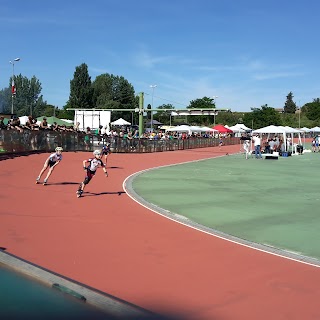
(81, 90)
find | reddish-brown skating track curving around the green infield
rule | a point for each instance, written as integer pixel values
(109, 242)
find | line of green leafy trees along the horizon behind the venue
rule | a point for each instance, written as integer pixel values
(109, 91)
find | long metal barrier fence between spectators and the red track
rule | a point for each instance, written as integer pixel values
(12, 141)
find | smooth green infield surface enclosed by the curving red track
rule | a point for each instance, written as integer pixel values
(271, 202)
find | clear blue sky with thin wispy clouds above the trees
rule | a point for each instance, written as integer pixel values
(246, 52)
